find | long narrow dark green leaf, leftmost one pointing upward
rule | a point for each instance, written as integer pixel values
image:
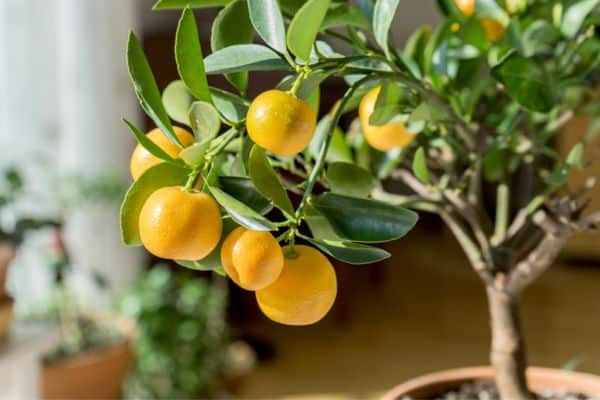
(146, 89)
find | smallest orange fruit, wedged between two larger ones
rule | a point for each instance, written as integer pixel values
(253, 260)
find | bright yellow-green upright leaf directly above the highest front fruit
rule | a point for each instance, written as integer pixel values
(304, 27)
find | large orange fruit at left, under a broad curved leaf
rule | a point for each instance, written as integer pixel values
(180, 225)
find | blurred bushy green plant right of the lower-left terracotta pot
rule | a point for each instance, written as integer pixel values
(182, 347)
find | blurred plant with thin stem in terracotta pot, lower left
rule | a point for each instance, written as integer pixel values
(93, 354)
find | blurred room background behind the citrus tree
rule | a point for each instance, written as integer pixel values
(74, 294)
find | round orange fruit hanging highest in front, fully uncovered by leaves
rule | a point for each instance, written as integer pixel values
(280, 122)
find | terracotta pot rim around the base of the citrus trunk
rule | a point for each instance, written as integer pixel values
(431, 385)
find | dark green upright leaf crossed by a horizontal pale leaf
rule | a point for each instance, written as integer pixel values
(235, 14)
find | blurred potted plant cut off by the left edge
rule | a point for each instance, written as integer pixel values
(12, 234)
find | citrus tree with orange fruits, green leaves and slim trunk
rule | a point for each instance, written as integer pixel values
(464, 115)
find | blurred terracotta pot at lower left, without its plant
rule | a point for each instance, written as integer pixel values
(93, 375)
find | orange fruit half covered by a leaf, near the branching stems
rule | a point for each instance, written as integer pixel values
(383, 137)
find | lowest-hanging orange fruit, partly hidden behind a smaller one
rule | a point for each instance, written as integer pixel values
(304, 292)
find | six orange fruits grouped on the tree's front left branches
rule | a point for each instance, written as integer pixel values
(294, 285)
